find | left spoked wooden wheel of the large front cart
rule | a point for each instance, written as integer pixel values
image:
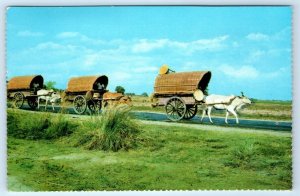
(175, 108)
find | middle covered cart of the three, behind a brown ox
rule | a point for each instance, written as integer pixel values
(86, 92)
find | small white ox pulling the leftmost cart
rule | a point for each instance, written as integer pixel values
(48, 96)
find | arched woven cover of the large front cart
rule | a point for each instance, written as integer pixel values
(181, 83)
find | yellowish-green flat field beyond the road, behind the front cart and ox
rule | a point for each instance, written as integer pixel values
(259, 109)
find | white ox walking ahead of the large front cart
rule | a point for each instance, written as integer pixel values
(229, 103)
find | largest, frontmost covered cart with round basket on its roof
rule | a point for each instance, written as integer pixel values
(180, 93)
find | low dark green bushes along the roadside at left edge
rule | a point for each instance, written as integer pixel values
(37, 126)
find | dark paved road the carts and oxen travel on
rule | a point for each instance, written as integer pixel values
(259, 124)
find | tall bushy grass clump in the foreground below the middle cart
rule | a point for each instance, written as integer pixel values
(113, 130)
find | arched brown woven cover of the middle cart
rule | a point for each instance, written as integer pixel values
(87, 83)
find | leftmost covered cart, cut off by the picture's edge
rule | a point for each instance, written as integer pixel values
(23, 88)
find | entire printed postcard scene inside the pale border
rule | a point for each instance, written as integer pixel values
(123, 98)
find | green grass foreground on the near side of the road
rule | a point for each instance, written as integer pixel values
(165, 158)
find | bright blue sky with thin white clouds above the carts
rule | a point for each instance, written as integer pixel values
(246, 48)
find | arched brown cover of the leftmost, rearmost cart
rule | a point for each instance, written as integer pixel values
(25, 82)
